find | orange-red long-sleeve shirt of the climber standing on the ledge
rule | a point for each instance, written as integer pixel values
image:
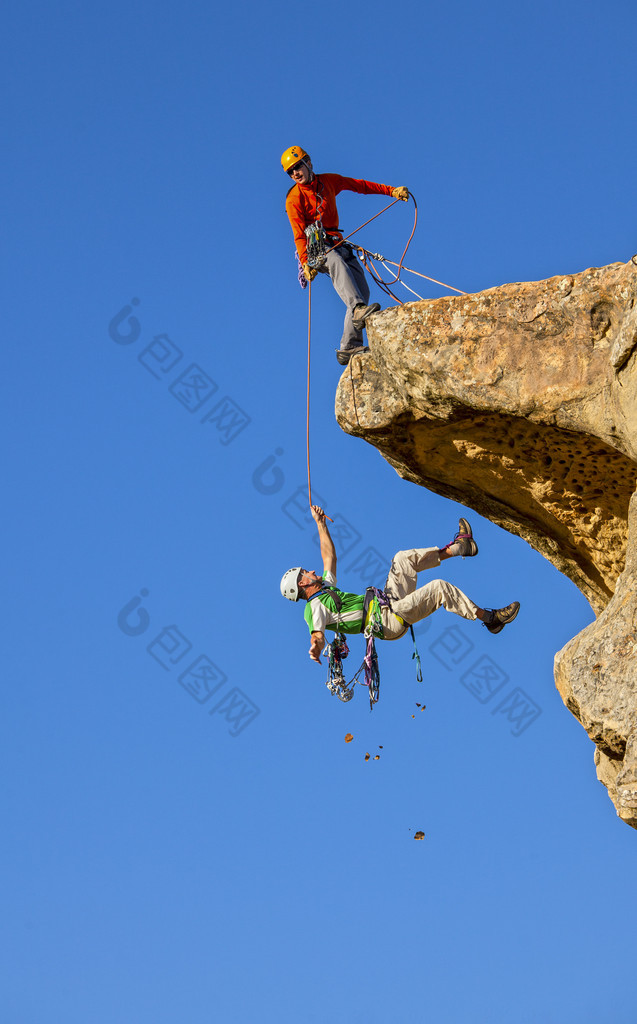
(318, 200)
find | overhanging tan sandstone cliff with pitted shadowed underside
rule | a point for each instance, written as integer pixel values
(522, 403)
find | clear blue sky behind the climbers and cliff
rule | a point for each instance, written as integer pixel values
(165, 858)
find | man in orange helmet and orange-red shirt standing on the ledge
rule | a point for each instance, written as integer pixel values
(311, 205)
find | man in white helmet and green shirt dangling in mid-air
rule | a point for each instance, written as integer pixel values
(328, 608)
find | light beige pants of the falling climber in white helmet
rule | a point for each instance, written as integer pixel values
(413, 604)
